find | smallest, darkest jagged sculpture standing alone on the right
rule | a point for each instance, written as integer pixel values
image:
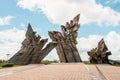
(100, 54)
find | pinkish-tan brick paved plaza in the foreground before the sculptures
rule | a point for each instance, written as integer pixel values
(69, 71)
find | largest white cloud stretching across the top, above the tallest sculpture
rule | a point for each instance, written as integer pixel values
(63, 10)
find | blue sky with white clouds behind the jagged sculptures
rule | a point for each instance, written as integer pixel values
(99, 19)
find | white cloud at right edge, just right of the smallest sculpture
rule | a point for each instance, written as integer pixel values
(113, 40)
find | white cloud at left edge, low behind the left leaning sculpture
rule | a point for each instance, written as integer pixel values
(10, 41)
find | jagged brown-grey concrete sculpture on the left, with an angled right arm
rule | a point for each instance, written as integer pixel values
(32, 51)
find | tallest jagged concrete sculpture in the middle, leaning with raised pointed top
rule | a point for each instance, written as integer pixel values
(66, 48)
